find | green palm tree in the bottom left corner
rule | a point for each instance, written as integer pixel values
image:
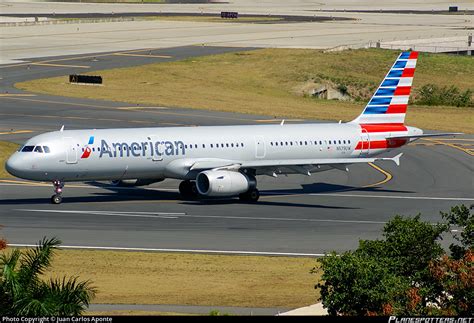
(22, 292)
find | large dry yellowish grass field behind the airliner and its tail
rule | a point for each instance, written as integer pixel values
(268, 81)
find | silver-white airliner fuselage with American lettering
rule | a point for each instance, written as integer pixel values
(157, 153)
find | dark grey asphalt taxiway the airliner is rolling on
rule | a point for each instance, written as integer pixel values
(296, 214)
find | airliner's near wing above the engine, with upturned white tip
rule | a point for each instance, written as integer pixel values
(233, 164)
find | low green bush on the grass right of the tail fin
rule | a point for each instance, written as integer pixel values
(431, 94)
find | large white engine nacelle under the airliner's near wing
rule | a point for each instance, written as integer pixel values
(222, 183)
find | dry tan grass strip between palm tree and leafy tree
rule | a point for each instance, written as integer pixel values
(191, 279)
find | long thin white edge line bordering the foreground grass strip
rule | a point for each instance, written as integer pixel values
(231, 252)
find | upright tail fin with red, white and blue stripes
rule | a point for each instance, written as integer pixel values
(389, 103)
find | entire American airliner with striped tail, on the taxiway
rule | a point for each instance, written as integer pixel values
(223, 160)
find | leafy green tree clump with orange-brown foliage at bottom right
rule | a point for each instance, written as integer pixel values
(405, 273)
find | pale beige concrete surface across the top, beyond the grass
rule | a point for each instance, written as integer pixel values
(413, 28)
